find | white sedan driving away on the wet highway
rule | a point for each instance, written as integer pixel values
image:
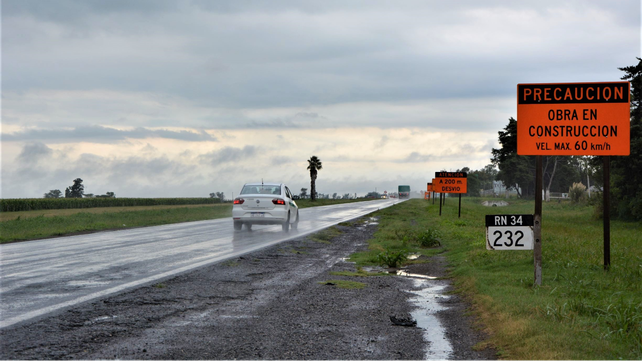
(265, 203)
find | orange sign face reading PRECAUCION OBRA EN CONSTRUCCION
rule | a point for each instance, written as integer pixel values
(573, 119)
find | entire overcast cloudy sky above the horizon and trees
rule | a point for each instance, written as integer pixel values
(164, 98)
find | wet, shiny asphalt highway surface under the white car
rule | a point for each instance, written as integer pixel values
(40, 277)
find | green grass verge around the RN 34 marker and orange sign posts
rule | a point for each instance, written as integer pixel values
(580, 311)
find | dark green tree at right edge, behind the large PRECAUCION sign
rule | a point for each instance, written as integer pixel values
(626, 172)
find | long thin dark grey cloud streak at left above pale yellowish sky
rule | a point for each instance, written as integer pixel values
(99, 134)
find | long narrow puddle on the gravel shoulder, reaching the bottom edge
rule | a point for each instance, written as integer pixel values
(427, 302)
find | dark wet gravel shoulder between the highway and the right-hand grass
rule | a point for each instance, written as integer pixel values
(276, 303)
